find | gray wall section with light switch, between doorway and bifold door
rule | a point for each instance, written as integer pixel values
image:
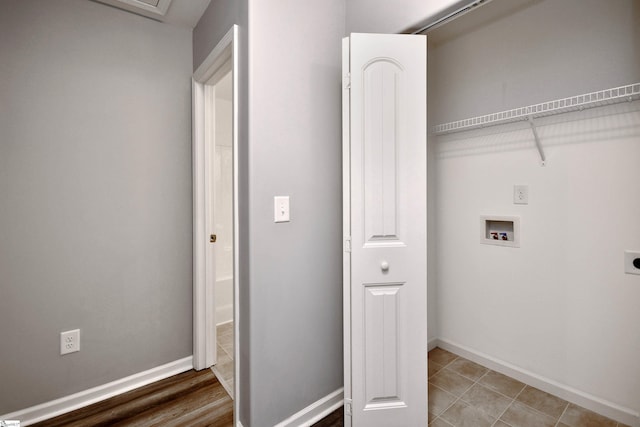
(295, 150)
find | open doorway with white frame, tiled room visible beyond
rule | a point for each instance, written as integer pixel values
(215, 207)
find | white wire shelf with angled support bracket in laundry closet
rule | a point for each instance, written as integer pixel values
(529, 113)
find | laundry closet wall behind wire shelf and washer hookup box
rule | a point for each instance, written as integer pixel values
(560, 306)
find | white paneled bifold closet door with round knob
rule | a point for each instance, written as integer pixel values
(385, 275)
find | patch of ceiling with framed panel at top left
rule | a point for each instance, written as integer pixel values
(181, 13)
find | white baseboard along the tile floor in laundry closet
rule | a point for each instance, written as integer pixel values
(586, 400)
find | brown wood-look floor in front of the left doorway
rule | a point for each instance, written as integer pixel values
(194, 399)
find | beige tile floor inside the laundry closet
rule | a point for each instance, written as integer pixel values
(463, 393)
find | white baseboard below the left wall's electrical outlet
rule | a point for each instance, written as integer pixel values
(88, 397)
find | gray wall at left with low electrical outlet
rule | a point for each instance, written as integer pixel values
(95, 190)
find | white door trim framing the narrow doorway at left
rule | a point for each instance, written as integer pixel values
(225, 52)
